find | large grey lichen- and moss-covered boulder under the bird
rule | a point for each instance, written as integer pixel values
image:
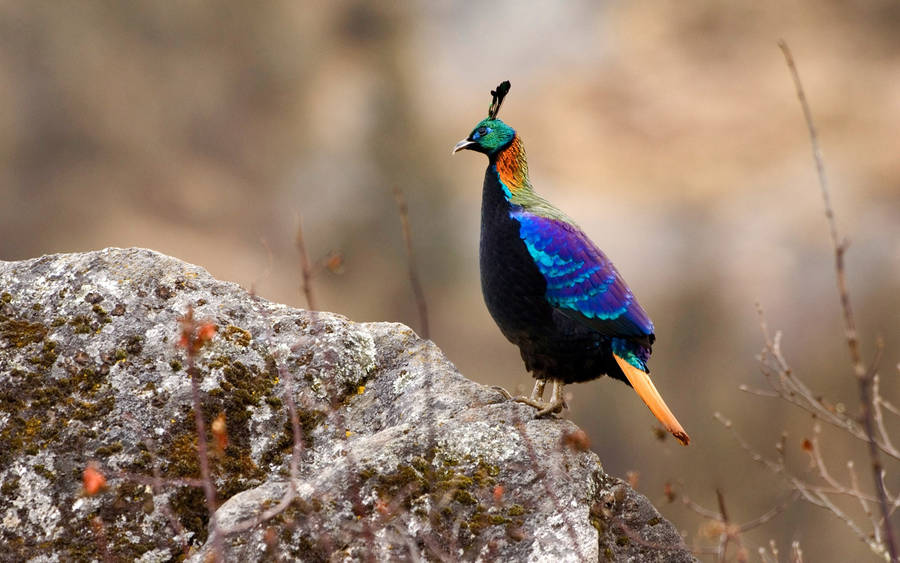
(399, 457)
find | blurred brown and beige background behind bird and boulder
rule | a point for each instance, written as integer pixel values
(670, 132)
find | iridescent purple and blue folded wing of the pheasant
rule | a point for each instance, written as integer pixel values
(581, 281)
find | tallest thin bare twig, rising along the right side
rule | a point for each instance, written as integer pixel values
(863, 377)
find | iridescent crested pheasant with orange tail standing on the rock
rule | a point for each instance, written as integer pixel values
(551, 291)
